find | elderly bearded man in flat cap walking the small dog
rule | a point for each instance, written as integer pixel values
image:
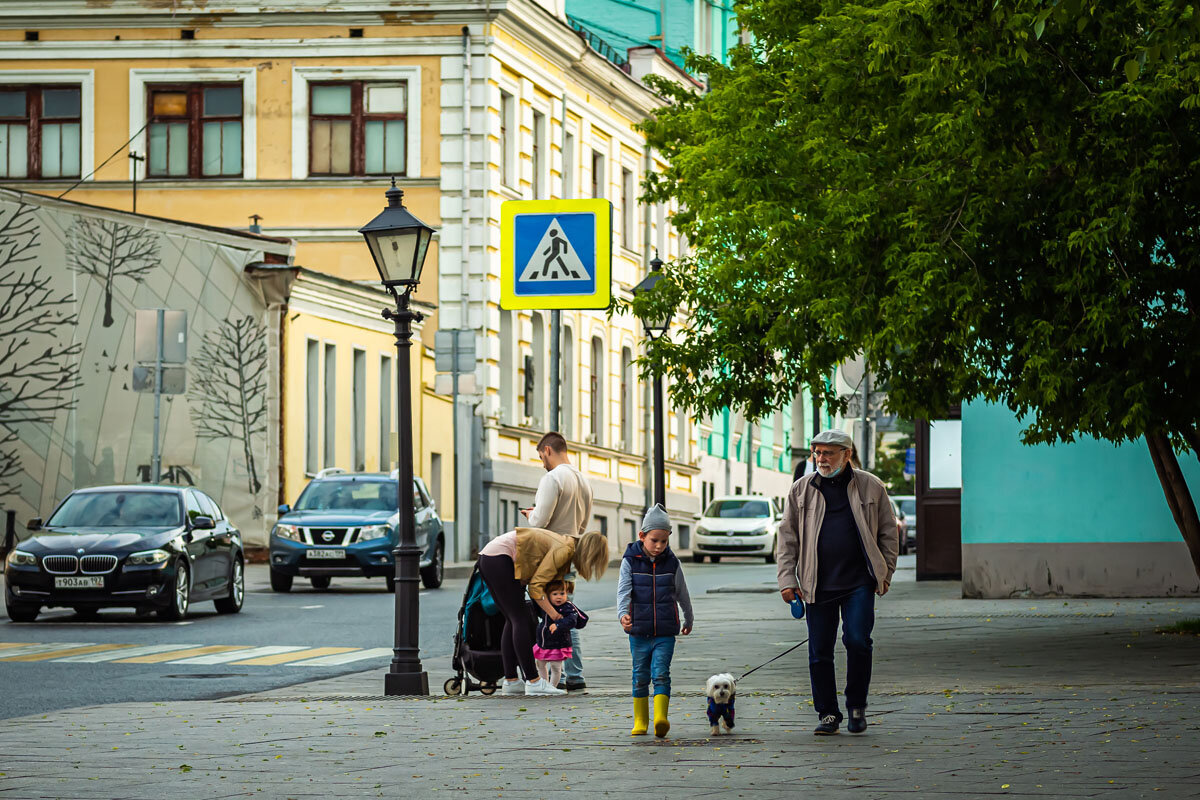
(838, 548)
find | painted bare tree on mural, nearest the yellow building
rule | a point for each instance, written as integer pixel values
(229, 388)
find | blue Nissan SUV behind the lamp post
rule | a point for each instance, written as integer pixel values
(346, 525)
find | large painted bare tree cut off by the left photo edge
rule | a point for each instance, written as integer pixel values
(39, 362)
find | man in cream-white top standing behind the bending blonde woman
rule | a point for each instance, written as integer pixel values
(563, 506)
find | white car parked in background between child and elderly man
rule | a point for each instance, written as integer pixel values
(741, 525)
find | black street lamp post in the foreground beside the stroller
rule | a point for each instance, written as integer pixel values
(399, 243)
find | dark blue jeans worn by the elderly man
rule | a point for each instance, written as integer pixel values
(857, 612)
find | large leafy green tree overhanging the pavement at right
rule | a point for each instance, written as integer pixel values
(988, 201)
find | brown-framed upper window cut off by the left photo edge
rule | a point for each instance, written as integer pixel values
(40, 131)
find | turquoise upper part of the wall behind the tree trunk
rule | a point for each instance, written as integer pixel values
(1083, 492)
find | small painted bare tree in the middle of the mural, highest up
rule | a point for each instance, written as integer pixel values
(109, 251)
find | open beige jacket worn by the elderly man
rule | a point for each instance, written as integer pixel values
(803, 516)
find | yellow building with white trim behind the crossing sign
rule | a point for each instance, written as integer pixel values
(292, 119)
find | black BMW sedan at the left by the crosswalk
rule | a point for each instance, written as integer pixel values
(149, 548)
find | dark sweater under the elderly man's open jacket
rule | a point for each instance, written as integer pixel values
(842, 563)
